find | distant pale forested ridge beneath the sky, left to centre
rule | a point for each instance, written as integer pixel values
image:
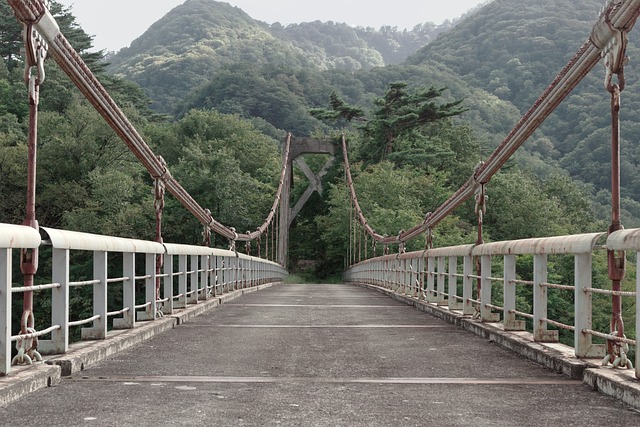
(193, 41)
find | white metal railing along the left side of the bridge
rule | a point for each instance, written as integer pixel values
(122, 267)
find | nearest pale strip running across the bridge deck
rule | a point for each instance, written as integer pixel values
(326, 380)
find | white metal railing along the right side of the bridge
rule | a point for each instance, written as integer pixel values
(436, 276)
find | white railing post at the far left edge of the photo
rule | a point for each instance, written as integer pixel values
(5, 310)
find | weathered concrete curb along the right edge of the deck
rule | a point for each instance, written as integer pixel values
(617, 383)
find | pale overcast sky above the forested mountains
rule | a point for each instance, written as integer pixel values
(116, 23)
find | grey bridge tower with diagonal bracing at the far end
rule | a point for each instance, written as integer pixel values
(300, 146)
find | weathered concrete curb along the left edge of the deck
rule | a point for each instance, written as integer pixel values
(26, 379)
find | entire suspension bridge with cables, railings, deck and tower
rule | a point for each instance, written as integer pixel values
(408, 339)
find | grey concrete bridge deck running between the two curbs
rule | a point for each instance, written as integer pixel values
(317, 355)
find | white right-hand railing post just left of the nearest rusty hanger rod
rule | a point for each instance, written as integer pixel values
(583, 309)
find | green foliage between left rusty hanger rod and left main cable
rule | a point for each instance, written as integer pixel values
(87, 177)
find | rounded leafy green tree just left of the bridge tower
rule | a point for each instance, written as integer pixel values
(225, 164)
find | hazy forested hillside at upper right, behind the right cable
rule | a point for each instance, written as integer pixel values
(513, 50)
